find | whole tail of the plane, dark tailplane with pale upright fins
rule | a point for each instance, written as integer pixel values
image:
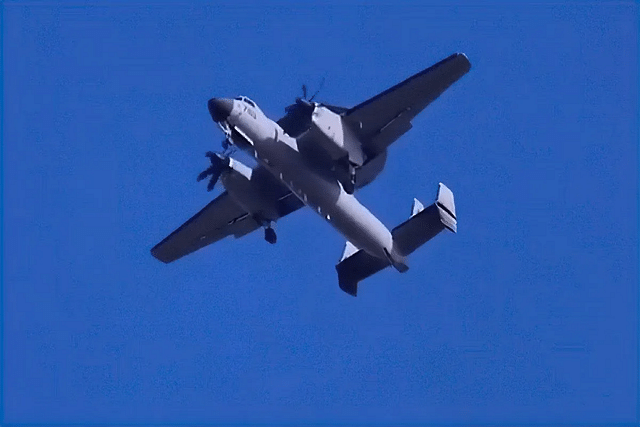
(423, 225)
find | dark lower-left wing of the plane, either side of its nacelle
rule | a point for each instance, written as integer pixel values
(219, 219)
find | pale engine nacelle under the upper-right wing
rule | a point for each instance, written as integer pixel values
(335, 136)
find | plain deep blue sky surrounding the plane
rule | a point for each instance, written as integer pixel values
(528, 314)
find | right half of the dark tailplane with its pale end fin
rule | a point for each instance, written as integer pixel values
(426, 224)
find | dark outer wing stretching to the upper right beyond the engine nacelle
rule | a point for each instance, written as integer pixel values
(382, 119)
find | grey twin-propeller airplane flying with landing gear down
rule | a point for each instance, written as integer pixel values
(318, 155)
